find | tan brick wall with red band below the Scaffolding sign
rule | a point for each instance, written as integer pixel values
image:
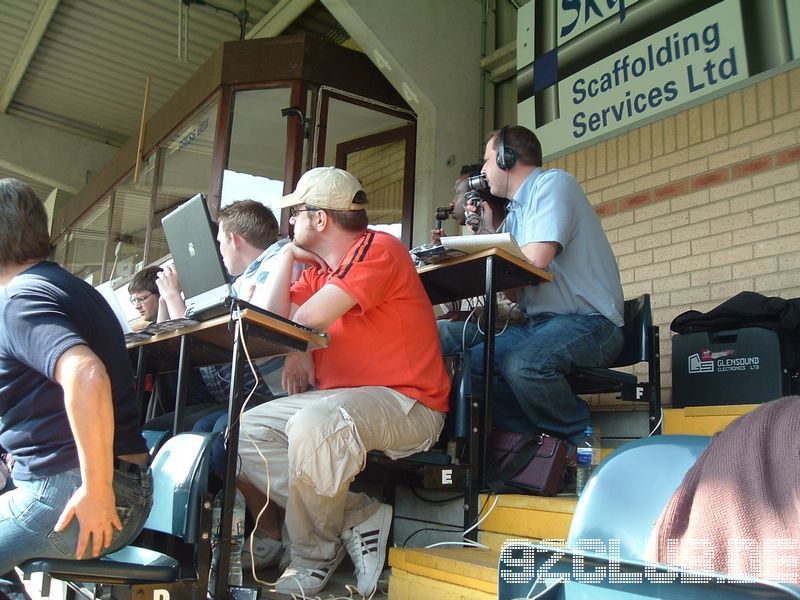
(703, 204)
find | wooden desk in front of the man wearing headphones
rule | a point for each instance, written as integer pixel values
(480, 274)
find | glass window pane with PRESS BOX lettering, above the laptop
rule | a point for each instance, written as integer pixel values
(186, 171)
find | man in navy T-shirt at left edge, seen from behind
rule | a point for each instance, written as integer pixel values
(68, 411)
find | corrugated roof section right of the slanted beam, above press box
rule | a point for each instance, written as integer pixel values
(90, 69)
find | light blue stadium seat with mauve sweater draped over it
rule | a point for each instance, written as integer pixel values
(604, 554)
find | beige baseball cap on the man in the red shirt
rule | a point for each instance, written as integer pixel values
(324, 187)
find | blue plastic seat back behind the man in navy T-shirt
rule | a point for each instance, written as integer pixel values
(180, 478)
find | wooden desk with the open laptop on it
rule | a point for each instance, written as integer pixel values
(222, 340)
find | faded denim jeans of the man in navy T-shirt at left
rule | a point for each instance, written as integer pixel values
(29, 513)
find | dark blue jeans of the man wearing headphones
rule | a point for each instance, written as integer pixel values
(531, 360)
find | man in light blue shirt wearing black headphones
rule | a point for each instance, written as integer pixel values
(574, 320)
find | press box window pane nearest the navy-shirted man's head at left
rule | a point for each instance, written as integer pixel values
(85, 244)
